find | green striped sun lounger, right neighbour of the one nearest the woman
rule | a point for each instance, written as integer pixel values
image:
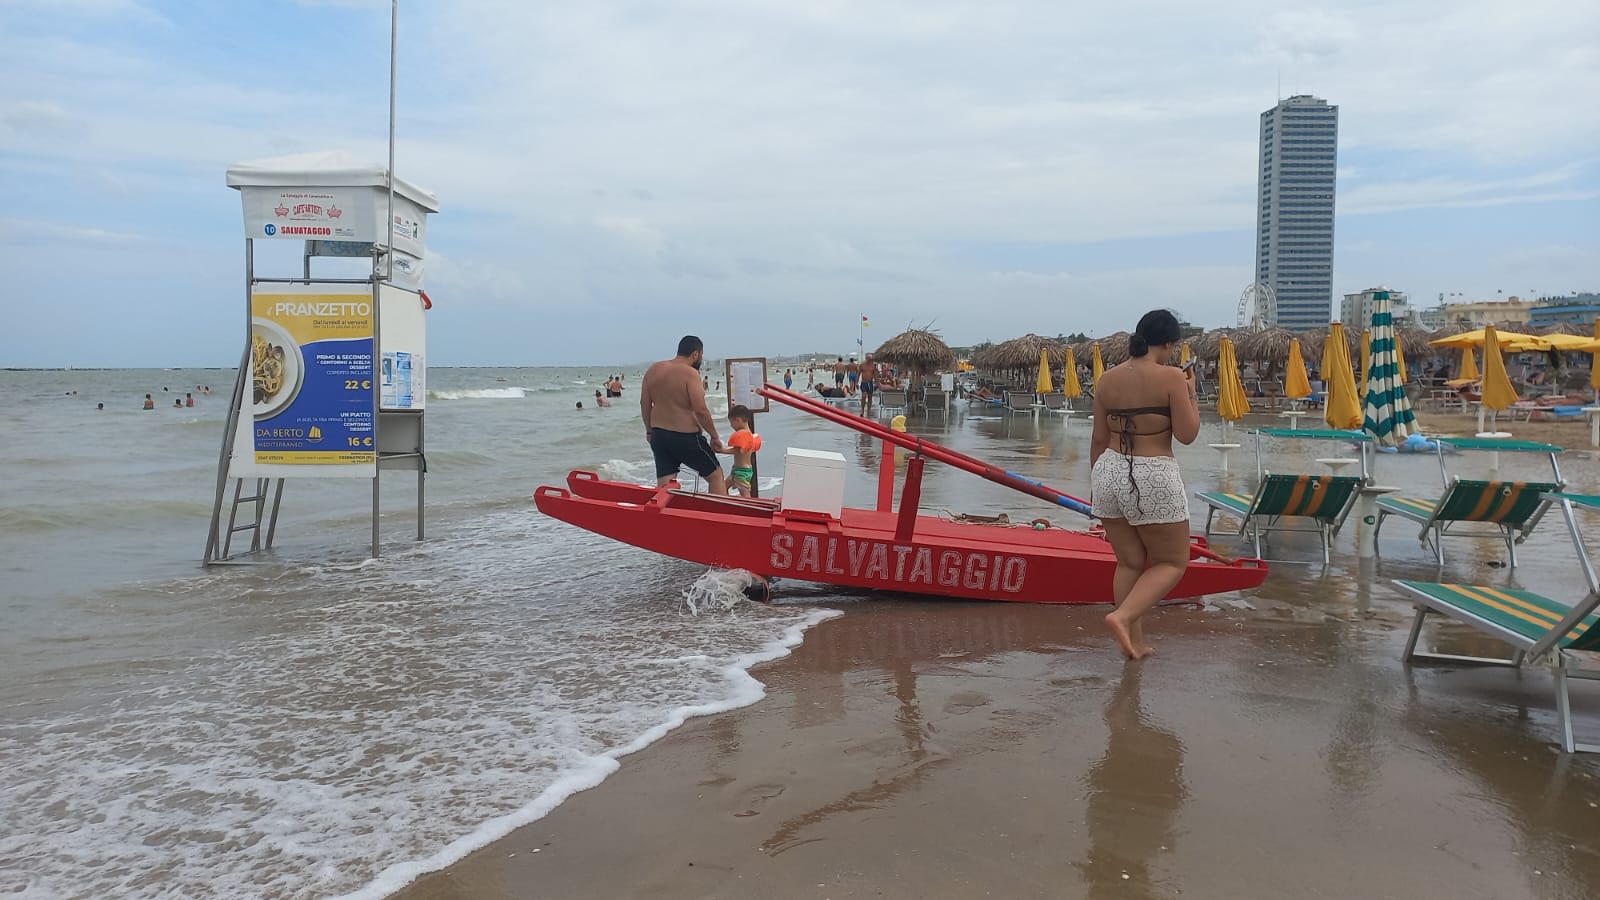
(1508, 507)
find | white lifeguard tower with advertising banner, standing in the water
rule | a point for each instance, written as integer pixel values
(332, 382)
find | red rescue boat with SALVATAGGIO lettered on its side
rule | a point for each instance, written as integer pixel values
(886, 548)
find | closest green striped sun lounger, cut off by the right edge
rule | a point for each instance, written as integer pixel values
(1535, 625)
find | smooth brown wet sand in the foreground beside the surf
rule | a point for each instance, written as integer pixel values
(922, 749)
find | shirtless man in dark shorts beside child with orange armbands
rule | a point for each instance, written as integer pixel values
(673, 403)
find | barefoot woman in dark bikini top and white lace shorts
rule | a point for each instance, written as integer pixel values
(1140, 408)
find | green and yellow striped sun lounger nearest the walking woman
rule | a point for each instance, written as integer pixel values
(1326, 500)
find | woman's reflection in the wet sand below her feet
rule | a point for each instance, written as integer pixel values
(1135, 792)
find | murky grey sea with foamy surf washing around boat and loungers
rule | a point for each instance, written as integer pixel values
(326, 723)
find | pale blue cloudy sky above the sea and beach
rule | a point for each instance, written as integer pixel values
(764, 172)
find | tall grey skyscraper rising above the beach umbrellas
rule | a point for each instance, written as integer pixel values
(1300, 155)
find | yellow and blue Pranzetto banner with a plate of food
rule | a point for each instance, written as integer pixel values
(313, 379)
